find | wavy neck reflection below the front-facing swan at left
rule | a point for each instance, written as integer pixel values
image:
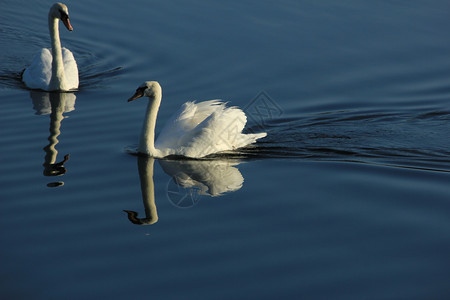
(57, 103)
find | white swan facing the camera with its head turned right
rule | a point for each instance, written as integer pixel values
(53, 69)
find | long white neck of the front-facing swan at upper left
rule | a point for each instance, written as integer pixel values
(58, 80)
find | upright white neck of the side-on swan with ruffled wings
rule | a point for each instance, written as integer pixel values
(147, 140)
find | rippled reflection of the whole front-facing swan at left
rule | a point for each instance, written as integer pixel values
(55, 104)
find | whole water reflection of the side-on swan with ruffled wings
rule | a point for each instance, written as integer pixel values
(189, 180)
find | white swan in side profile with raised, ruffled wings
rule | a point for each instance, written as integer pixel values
(196, 130)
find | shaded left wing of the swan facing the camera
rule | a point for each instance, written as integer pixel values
(39, 73)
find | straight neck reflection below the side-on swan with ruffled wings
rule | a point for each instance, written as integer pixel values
(145, 166)
